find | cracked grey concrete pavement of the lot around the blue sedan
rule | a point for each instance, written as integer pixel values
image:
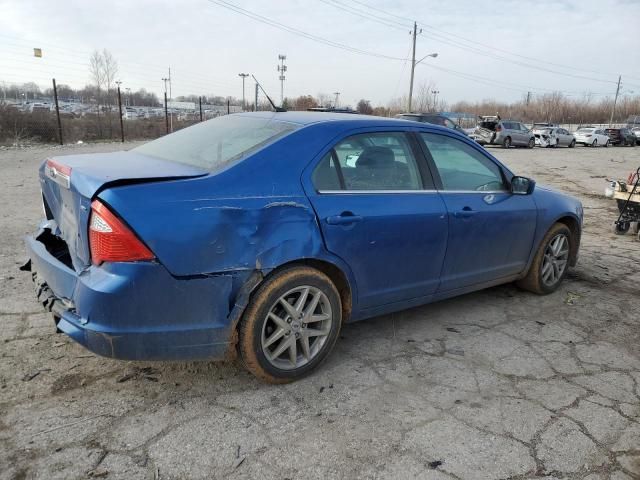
(498, 384)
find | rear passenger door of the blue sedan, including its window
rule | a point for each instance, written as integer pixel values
(379, 212)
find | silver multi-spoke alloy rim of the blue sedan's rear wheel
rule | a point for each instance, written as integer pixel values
(296, 327)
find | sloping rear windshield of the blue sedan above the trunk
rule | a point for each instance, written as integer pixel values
(216, 143)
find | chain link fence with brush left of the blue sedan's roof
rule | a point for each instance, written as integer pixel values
(52, 119)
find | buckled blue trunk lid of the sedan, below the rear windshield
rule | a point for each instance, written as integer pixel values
(70, 183)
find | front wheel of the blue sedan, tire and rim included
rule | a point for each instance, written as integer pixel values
(551, 262)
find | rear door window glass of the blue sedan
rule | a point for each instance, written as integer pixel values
(372, 161)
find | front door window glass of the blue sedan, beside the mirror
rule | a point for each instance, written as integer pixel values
(462, 167)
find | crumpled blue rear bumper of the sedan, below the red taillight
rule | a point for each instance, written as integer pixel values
(136, 311)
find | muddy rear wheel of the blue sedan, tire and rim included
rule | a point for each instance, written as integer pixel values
(290, 325)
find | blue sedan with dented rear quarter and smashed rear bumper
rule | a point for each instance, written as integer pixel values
(261, 234)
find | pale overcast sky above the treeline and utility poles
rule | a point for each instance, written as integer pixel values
(589, 42)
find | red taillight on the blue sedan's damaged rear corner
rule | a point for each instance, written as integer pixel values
(110, 240)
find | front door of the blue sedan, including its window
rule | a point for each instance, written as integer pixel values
(490, 230)
